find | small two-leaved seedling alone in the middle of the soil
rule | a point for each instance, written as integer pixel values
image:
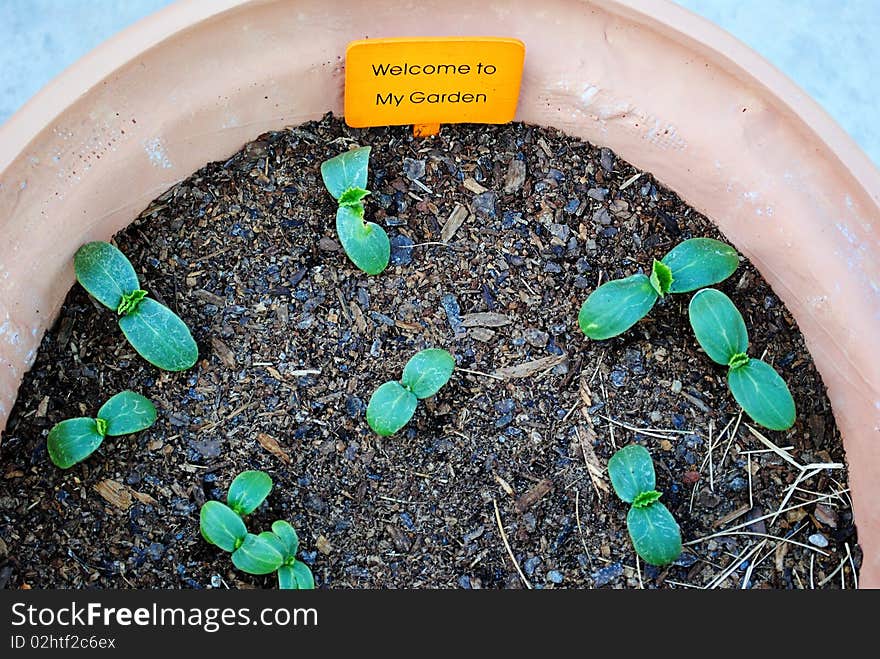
(393, 404)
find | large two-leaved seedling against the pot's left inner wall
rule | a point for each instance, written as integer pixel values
(154, 331)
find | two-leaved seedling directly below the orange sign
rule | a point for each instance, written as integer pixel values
(366, 243)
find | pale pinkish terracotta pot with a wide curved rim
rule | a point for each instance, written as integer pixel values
(666, 90)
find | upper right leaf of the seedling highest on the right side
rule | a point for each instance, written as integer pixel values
(699, 262)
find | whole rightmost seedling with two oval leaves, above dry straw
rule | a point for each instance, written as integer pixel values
(756, 386)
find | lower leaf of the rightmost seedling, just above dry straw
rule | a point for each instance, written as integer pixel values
(763, 394)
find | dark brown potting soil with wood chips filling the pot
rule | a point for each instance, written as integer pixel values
(498, 234)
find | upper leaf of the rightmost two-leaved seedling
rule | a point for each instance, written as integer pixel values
(718, 325)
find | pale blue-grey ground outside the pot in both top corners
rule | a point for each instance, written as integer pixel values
(831, 48)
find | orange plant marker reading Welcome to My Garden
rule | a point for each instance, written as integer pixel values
(428, 81)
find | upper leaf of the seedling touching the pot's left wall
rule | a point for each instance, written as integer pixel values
(105, 273)
